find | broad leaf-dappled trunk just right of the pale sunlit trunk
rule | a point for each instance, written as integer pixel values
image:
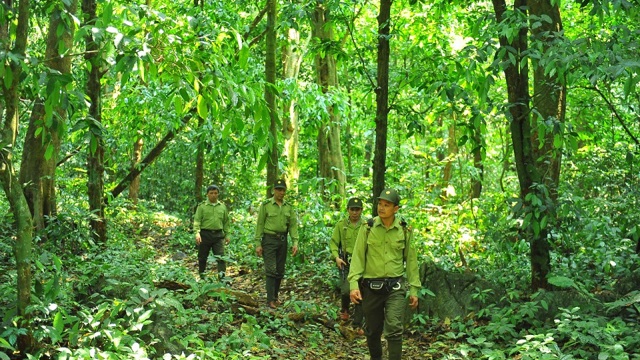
(330, 161)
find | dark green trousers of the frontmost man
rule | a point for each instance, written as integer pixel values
(384, 312)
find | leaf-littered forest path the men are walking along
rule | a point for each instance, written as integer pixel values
(311, 333)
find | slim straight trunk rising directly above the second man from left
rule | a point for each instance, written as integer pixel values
(269, 92)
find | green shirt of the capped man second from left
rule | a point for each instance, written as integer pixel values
(274, 219)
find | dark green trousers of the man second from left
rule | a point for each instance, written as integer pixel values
(274, 254)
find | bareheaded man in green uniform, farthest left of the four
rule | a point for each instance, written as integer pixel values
(211, 225)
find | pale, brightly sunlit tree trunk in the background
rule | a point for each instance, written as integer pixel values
(291, 68)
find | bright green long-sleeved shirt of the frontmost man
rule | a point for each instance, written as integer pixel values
(384, 250)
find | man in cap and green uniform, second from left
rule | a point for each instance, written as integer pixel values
(277, 220)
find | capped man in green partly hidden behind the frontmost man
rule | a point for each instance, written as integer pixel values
(344, 237)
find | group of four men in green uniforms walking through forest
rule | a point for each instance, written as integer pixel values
(377, 263)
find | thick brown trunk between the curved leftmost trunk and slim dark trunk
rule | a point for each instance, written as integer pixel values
(38, 171)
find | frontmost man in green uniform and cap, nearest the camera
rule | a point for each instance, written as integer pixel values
(382, 257)
